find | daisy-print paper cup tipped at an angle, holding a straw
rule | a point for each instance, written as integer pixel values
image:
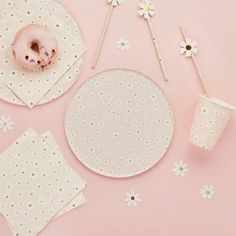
(211, 117)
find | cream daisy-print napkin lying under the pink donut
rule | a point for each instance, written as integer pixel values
(48, 13)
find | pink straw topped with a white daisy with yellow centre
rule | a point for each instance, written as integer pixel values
(147, 10)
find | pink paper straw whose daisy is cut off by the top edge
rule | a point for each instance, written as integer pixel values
(113, 4)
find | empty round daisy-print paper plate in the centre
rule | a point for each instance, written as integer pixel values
(119, 123)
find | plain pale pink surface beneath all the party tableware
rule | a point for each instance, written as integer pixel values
(170, 205)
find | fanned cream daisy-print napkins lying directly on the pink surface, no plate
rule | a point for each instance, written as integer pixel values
(36, 184)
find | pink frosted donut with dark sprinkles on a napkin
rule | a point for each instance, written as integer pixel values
(35, 48)
